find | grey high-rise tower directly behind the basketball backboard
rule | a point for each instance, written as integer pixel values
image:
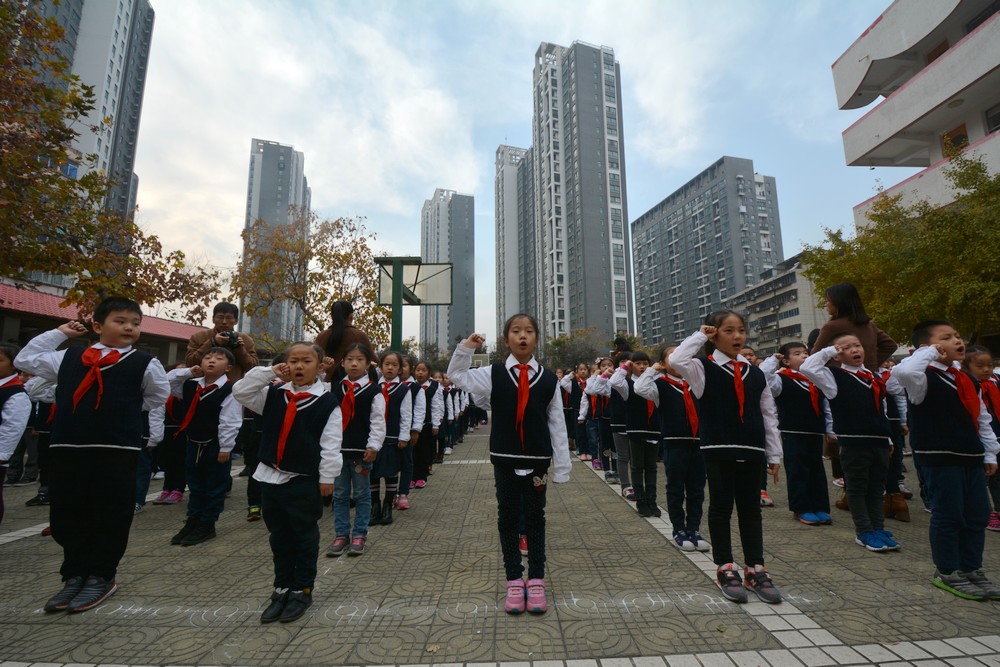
(447, 234)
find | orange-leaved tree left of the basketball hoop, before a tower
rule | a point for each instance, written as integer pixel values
(312, 262)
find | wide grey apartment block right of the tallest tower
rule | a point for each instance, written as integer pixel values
(707, 241)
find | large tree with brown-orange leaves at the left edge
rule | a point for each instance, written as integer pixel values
(52, 215)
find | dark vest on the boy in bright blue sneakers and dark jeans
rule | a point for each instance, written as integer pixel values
(856, 419)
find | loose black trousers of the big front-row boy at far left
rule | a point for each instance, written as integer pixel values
(92, 495)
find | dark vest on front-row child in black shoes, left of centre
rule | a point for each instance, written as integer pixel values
(302, 446)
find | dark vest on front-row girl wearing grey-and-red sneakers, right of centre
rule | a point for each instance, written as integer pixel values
(723, 436)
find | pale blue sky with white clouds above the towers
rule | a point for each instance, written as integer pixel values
(390, 100)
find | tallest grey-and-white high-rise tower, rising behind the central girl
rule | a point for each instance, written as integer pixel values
(578, 164)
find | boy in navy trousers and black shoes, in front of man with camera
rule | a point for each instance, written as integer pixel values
(211, 419)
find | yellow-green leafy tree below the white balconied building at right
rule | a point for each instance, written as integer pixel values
(921, 262)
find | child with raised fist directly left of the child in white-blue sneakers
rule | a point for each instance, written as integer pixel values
(642, 425)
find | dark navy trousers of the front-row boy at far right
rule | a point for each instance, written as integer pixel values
(961, 509)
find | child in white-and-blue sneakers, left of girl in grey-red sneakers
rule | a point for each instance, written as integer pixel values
(683, 462)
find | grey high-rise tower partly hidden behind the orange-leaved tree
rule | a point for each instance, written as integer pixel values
(276, 182)
